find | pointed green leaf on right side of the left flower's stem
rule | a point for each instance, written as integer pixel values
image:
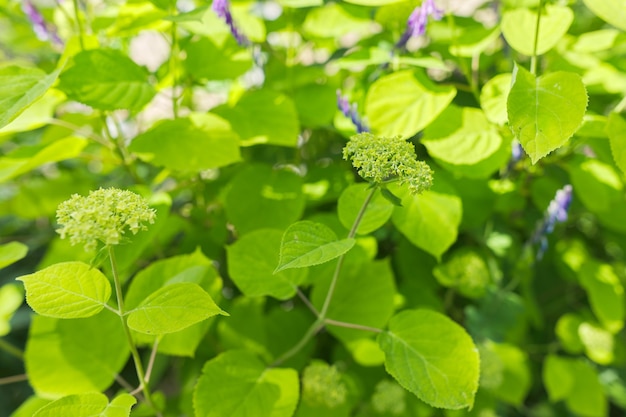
(173, 308)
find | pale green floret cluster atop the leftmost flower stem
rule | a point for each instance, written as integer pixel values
(103, 216)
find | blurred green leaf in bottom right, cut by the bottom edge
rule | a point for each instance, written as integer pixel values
(576, 382)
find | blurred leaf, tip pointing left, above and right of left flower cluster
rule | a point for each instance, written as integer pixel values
(192, 144)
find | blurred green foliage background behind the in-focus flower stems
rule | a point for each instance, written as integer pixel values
(232, 144)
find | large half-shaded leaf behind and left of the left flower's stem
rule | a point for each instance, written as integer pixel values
(64, 357)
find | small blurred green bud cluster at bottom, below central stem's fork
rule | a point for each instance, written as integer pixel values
(322, 385)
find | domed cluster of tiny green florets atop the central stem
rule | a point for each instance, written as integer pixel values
(379, 159)
